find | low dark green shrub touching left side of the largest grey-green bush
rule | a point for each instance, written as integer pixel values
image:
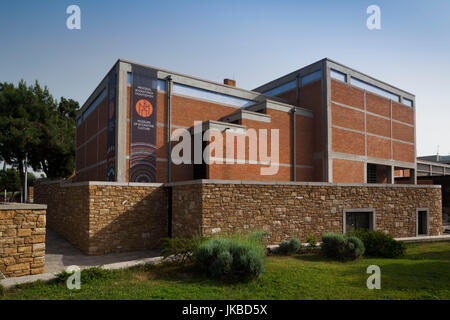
(180, 248)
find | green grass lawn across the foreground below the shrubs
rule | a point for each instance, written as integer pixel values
(423, 273)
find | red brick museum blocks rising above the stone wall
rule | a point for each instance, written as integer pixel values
(335, 125)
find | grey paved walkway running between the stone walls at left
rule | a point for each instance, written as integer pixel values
(59, 254)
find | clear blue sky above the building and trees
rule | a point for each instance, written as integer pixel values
(250, 41)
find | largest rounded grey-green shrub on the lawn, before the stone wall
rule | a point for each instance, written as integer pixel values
(232, 256)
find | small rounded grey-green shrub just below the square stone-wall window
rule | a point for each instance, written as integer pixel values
(341, 247)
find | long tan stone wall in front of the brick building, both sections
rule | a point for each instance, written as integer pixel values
(101, 217)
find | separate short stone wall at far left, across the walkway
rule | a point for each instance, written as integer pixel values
(22, 239)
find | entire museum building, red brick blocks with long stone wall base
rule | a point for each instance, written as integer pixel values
(342, 137)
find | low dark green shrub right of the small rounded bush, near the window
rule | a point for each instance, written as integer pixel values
(380, 244)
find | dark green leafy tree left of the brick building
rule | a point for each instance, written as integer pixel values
(33, 124)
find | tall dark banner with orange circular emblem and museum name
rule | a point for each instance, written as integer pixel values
(143, 125)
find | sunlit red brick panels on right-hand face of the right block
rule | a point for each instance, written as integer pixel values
(376, 111)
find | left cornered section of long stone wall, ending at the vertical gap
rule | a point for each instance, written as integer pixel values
(103, 217)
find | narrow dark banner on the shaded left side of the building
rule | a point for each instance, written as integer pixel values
(111, 132)
